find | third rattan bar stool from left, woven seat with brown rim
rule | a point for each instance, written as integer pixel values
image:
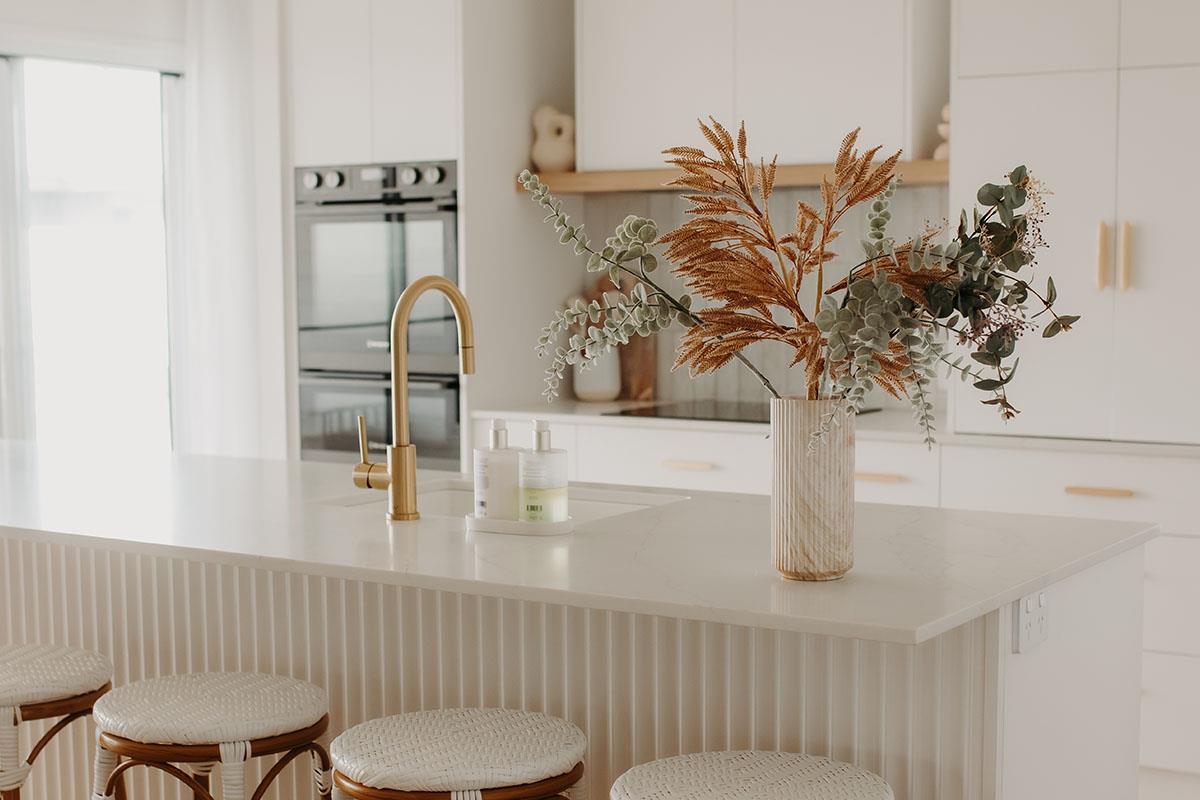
(460, 755)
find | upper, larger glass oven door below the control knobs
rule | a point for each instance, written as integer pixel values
(353, 262)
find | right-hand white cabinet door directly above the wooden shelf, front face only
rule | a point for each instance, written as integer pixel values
(800, 89)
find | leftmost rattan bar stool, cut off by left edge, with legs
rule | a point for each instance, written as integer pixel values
(40, 682)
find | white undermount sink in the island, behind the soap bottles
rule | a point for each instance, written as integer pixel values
(457, 498)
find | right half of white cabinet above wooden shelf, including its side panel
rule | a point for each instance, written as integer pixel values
(893, 87)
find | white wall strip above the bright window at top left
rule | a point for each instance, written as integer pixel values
(136, 33)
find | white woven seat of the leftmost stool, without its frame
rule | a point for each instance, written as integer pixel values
(39, 673)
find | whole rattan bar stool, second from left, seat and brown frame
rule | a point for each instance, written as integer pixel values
(187, 725)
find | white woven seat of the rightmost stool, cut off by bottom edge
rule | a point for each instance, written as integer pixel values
(749, 775)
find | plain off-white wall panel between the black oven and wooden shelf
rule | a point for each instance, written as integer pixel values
(517, 56)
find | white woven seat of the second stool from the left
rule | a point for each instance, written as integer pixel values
(211, 708)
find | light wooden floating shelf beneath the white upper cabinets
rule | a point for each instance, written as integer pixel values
(916, 173)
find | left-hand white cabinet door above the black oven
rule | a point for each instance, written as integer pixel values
(332, 82)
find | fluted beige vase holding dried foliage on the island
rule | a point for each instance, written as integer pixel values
(812, 492)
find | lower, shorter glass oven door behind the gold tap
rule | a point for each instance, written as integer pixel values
(331, 407)
